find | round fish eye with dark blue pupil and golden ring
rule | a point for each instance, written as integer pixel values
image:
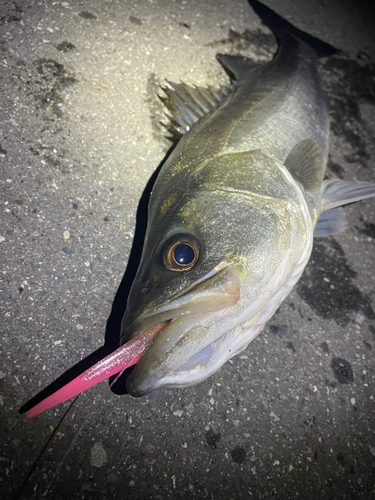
(180, 253)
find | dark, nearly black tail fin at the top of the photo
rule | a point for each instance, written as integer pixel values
(281, 28)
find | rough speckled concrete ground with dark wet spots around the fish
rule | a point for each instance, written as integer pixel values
(294, 415)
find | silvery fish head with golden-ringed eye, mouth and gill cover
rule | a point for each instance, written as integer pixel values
(216, 253)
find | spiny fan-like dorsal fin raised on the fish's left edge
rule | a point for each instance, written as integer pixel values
(186, 105)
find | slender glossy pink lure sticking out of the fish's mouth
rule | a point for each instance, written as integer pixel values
(125, 356)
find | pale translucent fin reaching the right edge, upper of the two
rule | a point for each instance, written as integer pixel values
(337, 192)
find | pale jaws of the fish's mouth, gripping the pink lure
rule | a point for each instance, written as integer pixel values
(181, 352)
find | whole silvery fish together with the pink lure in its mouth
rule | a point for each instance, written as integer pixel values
(231, 219)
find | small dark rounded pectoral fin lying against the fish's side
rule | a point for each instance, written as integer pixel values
(305, 164)
